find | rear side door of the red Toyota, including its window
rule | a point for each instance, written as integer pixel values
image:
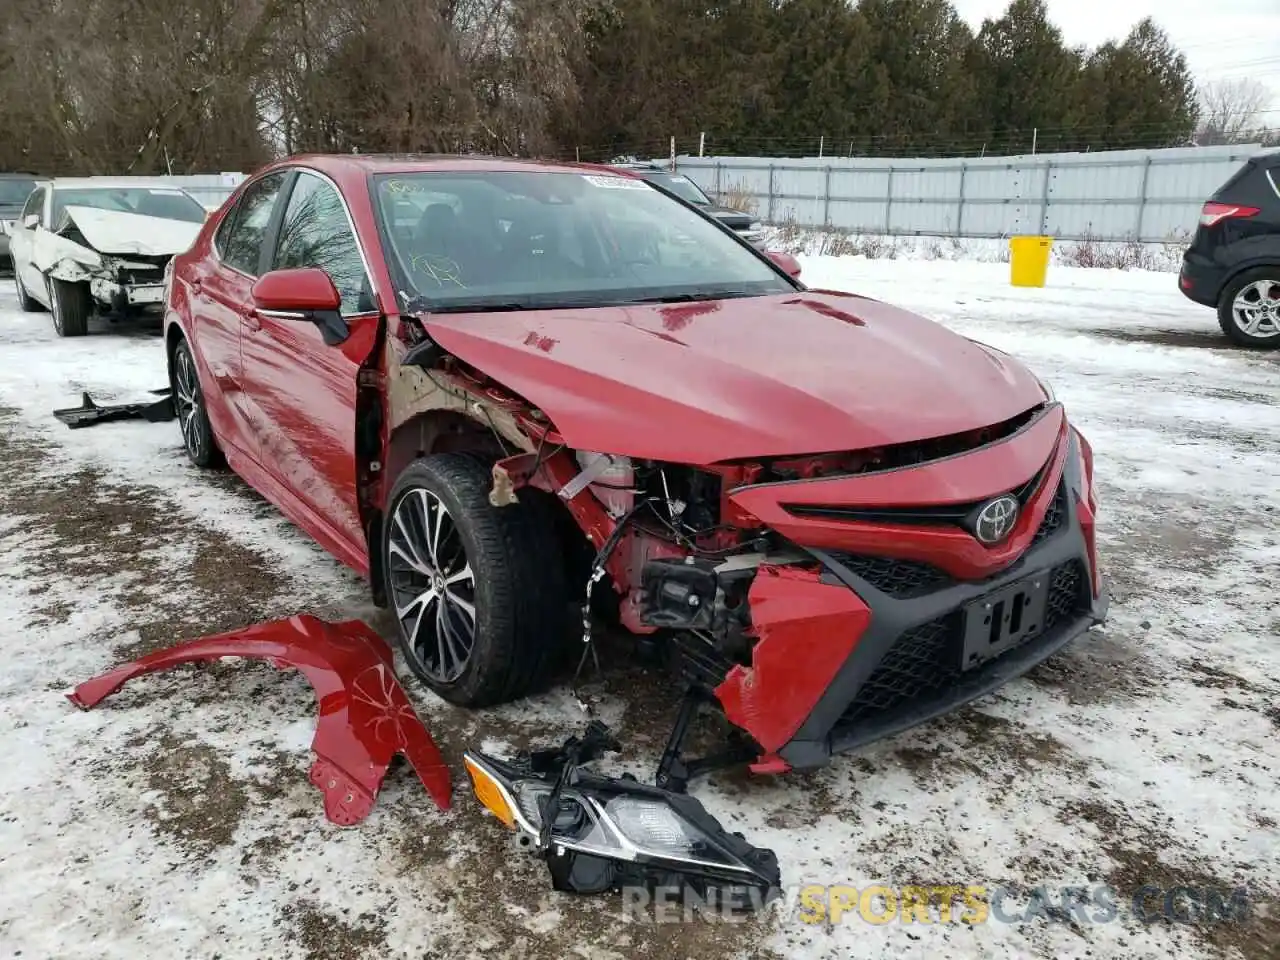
(222, 304)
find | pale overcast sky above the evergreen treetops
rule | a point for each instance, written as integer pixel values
(1223, 39)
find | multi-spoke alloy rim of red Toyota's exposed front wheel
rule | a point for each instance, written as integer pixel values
(433, 587)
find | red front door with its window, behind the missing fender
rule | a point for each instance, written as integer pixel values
(303, 391)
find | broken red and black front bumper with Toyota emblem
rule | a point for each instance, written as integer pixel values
(912, 601)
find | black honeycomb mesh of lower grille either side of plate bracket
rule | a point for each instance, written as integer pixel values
(925, 662)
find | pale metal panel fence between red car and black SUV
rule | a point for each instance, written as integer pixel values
(1145, 195)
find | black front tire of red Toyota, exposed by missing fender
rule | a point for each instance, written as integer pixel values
(518, 595)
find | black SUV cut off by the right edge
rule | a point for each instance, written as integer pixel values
(1235, 262)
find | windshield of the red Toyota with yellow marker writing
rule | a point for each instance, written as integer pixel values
(516, 240)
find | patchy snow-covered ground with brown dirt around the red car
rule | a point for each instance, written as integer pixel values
(176, 820)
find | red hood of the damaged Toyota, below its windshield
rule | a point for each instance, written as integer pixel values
(705, 382)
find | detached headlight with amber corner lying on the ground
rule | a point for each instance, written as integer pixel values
(601, 834)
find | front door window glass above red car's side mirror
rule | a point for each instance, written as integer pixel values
(316, 232)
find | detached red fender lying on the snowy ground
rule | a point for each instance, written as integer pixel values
(365, 717)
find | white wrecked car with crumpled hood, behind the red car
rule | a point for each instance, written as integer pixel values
(98, 246)
